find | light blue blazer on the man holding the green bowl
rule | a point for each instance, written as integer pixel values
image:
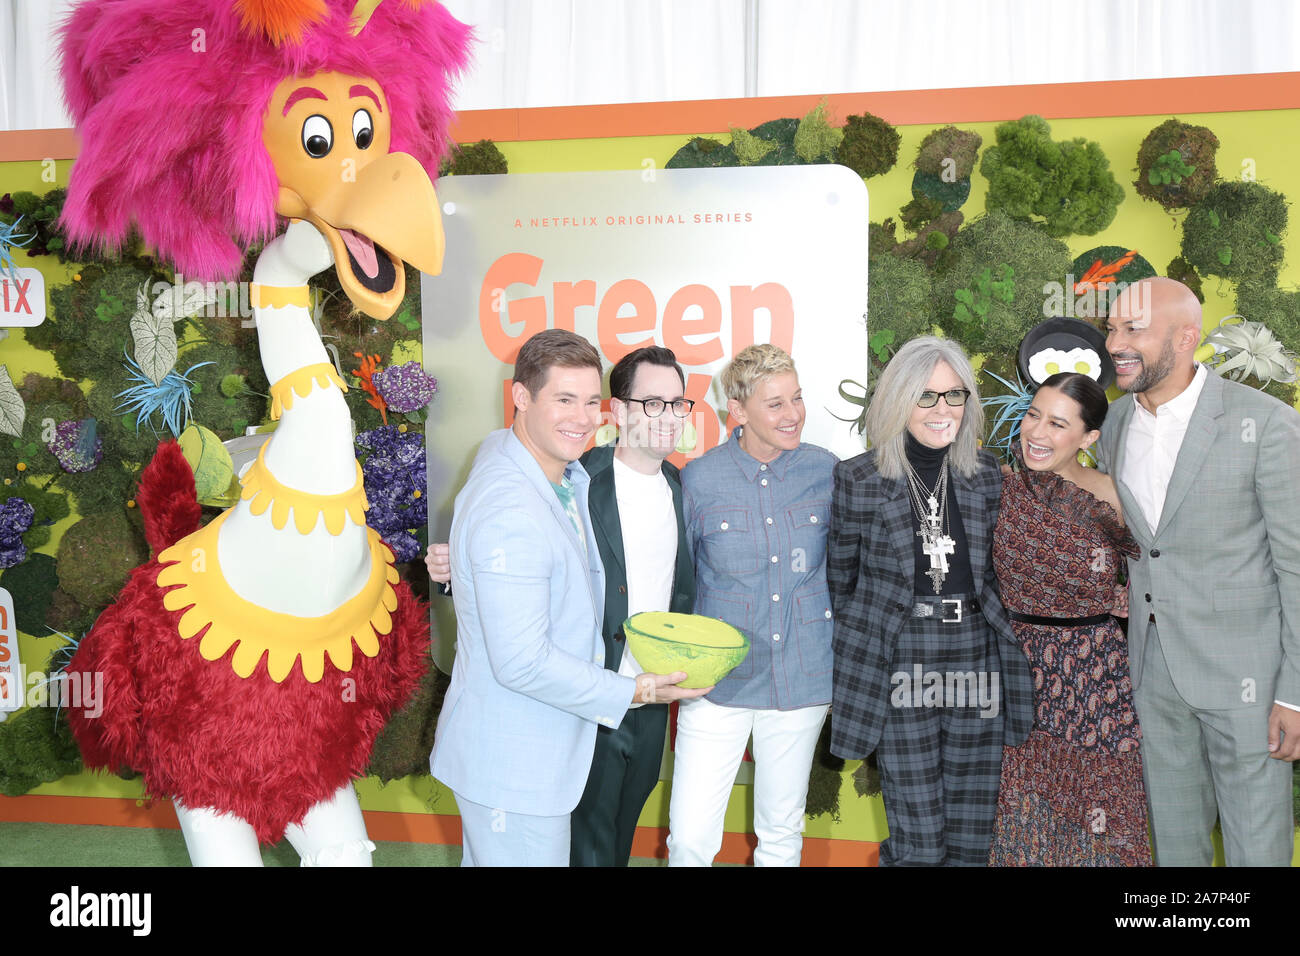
(530, 685)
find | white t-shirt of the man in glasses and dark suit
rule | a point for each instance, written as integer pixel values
(649, 525)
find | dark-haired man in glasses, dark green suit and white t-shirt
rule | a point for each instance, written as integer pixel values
(648, 566)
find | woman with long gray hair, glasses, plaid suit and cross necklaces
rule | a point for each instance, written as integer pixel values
(928, 671)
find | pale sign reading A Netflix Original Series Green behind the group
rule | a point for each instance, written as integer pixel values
(704, 262)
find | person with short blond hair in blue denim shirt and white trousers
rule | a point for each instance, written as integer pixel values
(757, 509)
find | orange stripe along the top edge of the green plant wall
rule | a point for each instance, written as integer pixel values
(900, 107)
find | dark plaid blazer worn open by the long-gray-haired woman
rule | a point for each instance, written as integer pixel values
(872, 570)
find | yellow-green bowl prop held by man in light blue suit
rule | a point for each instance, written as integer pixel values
(705, 648)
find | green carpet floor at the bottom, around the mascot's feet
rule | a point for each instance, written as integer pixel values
(58, 845)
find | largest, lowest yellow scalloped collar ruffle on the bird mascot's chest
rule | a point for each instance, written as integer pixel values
(226, 620)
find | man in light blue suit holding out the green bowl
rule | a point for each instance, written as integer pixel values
(530, 685)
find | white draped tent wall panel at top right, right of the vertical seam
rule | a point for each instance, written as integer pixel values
(846, 46)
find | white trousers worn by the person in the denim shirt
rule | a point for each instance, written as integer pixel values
(710, 746)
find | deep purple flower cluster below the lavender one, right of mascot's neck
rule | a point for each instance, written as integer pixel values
(396, 479)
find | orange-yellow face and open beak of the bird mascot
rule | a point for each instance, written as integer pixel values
(328, 137)
